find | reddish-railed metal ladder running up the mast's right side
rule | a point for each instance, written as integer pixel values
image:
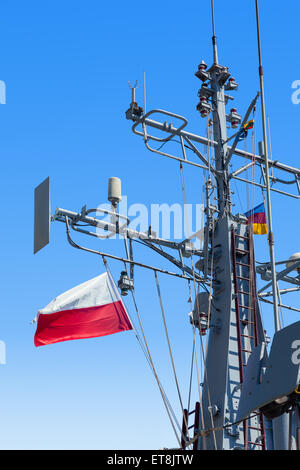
(244, 279)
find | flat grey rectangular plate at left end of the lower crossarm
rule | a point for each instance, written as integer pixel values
(41, 215)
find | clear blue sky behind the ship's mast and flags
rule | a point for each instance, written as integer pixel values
(66, 66)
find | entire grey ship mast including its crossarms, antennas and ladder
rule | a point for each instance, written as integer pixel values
(227, 310)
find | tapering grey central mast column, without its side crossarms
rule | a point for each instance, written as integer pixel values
(223, 366)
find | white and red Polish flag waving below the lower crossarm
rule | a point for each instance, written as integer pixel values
(89, 310)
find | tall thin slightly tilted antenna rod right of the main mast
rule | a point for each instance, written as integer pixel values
(270, 229)
